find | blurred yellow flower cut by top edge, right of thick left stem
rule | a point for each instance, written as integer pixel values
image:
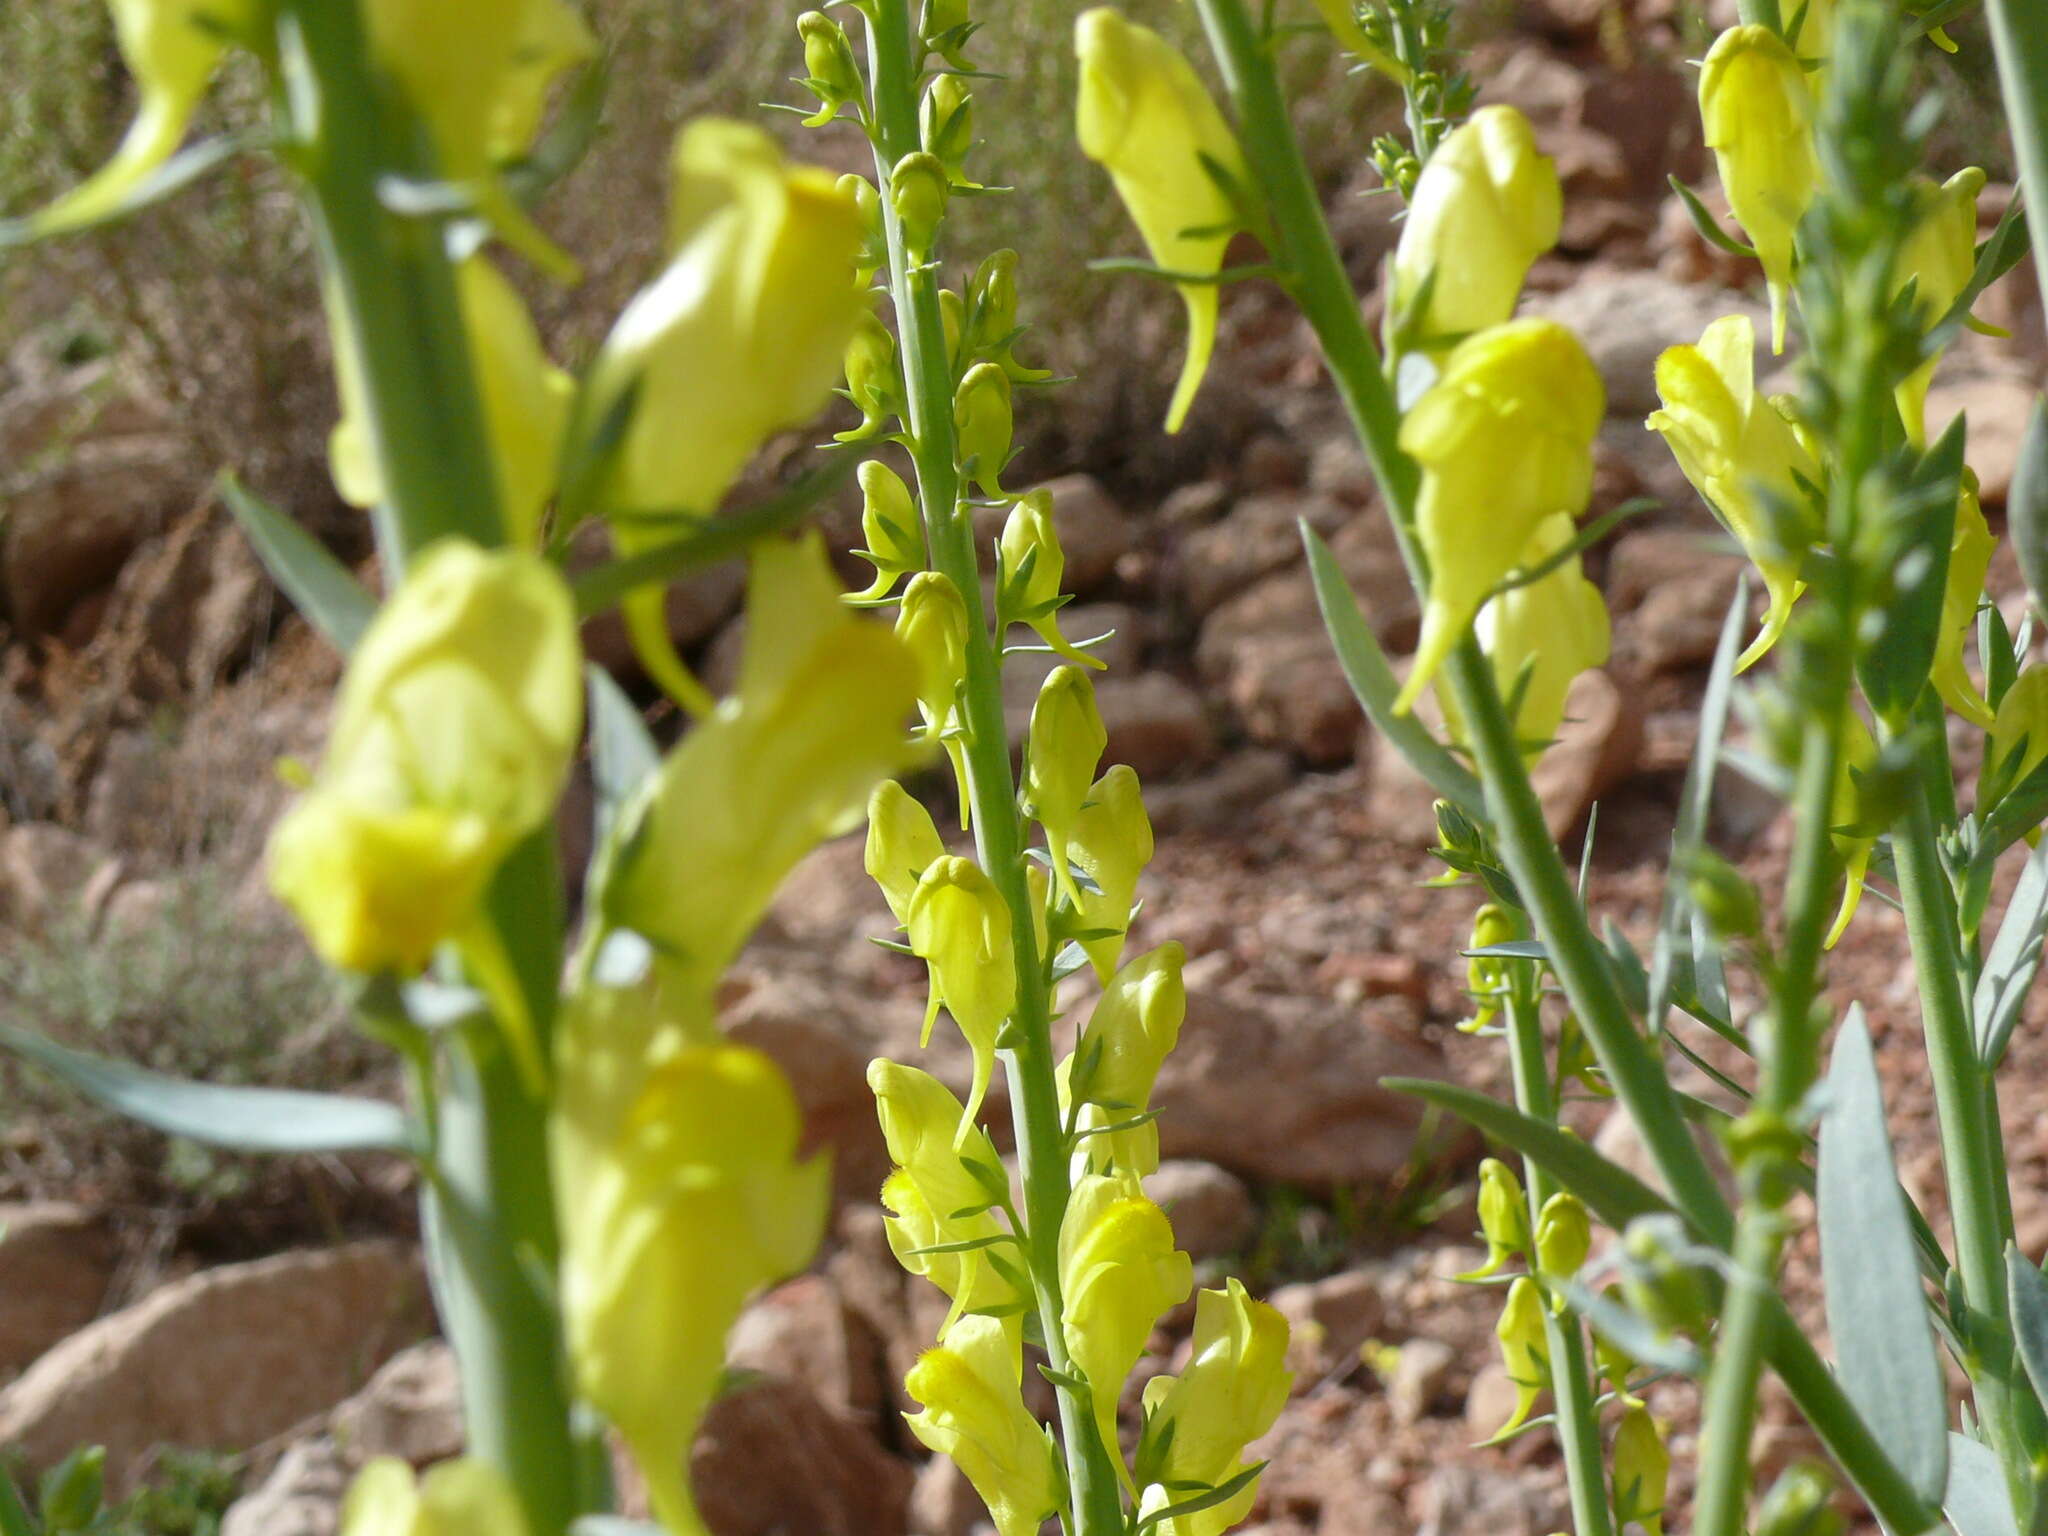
(478, 77)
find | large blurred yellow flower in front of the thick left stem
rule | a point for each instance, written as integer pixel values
(452, 740)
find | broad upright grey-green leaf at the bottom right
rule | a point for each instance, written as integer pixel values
(1877, 1316)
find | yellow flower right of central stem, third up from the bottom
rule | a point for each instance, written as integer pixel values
(1127, 1039)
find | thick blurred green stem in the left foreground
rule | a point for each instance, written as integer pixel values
(394, 304)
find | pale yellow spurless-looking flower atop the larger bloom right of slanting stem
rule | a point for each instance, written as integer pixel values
(1488, 206)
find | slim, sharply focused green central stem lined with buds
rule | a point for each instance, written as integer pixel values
(992, 790)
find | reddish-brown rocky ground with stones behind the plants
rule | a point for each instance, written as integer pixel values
(151, 681)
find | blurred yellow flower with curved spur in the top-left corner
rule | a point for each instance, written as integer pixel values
(171, 48)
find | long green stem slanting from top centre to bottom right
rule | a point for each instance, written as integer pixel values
(1326, 298)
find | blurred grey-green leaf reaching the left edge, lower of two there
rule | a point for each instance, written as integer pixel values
(220, 1115)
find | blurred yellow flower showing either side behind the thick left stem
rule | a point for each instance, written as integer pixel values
(525, 404)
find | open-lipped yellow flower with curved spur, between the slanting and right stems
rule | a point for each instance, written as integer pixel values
(1736, 450)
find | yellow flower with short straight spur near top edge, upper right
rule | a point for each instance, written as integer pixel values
(1758, 116)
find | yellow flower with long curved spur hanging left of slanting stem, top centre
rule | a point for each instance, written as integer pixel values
(1150, 122)
